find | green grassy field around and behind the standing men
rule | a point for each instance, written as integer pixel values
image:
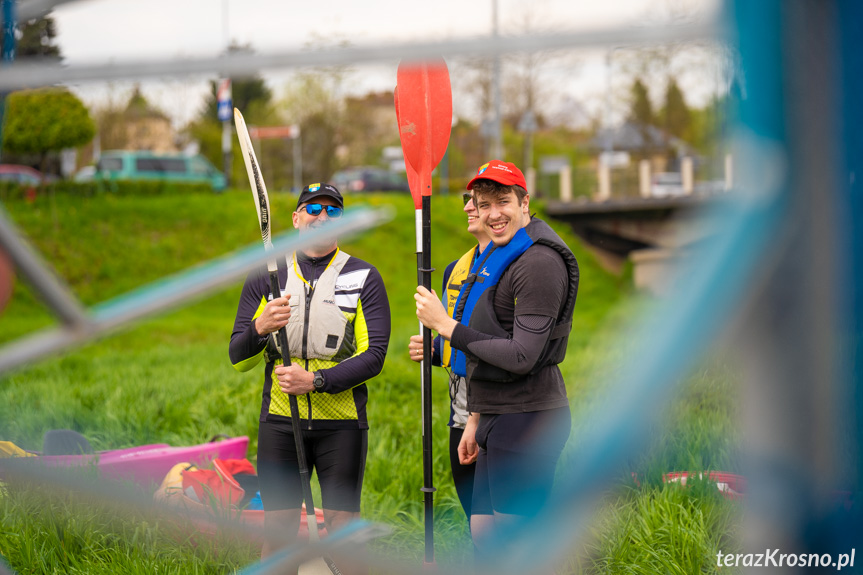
(169, 380)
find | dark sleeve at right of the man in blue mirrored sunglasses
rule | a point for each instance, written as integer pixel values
(374, 312)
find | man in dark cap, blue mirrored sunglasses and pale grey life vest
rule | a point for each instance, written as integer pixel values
(337, 317)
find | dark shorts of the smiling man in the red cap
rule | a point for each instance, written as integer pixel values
(517, 458)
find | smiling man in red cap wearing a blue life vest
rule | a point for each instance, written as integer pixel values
(518, 302)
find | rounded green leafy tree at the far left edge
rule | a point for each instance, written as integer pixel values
(46, 120)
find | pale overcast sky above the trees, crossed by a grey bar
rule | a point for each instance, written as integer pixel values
(103, 31)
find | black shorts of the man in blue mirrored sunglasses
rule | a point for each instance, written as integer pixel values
(338, 457)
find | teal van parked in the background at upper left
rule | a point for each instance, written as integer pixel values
(141, 165)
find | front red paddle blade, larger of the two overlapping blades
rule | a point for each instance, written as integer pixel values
(425, 117)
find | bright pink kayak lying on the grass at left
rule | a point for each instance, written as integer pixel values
(147, 465)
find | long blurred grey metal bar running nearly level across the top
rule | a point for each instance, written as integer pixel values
(22, 76)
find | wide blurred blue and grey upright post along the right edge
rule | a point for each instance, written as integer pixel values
(802, 436)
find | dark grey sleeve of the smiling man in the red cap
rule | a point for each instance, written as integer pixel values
(538, 282)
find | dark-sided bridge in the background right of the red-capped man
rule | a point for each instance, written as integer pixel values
(652, 233)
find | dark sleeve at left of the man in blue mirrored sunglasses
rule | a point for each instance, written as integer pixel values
(247, 347)
